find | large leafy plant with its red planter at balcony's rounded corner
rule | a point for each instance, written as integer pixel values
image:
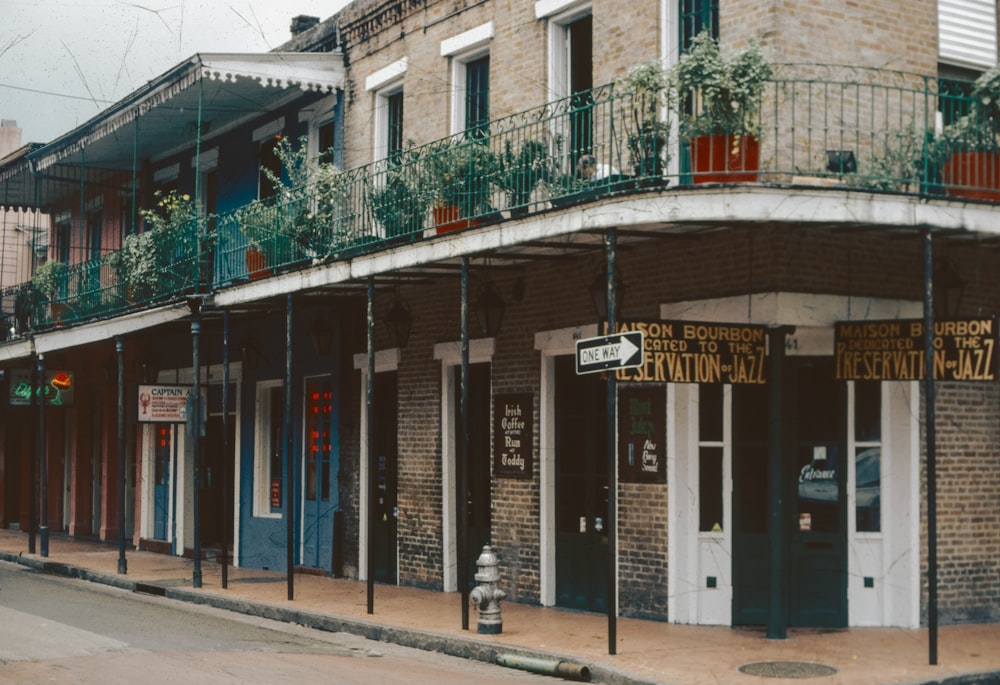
(722, 96)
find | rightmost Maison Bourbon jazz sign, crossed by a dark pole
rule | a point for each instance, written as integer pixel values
(894, 350)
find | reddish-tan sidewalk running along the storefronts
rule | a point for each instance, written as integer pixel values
(648, 651)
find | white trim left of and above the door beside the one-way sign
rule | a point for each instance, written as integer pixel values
(551, 344)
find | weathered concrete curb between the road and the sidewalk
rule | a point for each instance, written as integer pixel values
(463, 647)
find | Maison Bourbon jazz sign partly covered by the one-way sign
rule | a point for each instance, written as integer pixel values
(695, 352)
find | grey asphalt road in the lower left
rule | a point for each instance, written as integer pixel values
(57, 630)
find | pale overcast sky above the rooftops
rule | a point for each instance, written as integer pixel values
(64, 61)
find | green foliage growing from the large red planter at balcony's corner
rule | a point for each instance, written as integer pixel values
(725, 92)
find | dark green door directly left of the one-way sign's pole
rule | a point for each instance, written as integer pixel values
(581, 489)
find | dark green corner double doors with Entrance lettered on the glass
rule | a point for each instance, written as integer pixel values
(814, 529)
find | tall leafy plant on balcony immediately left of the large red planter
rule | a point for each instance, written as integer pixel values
(645, 94)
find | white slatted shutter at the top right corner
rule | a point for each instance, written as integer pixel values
(967, 32)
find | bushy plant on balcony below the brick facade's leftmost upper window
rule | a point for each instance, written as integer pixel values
(398, 201)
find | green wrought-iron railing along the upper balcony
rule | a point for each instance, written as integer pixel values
(840, 127)
